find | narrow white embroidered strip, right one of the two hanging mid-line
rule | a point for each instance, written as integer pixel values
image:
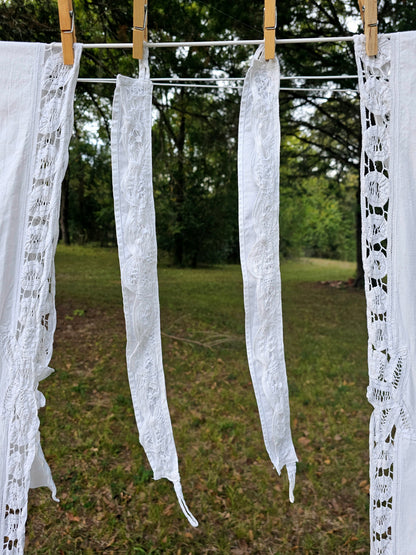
(258, 186)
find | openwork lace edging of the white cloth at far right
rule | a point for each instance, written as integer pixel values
(387, 361)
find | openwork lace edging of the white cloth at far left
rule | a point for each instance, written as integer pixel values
(28, 348)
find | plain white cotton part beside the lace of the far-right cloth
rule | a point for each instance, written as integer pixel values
(403, 200)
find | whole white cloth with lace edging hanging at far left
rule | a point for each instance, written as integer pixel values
(36, 114)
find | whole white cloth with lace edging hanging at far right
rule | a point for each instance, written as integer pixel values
(387, 85)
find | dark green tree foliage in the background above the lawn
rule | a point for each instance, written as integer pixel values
(195, 130)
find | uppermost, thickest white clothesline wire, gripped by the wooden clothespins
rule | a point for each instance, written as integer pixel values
(219, 42)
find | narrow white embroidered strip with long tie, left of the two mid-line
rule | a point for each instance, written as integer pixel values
(136, 235)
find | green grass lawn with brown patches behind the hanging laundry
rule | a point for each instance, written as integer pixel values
(109, 501)
